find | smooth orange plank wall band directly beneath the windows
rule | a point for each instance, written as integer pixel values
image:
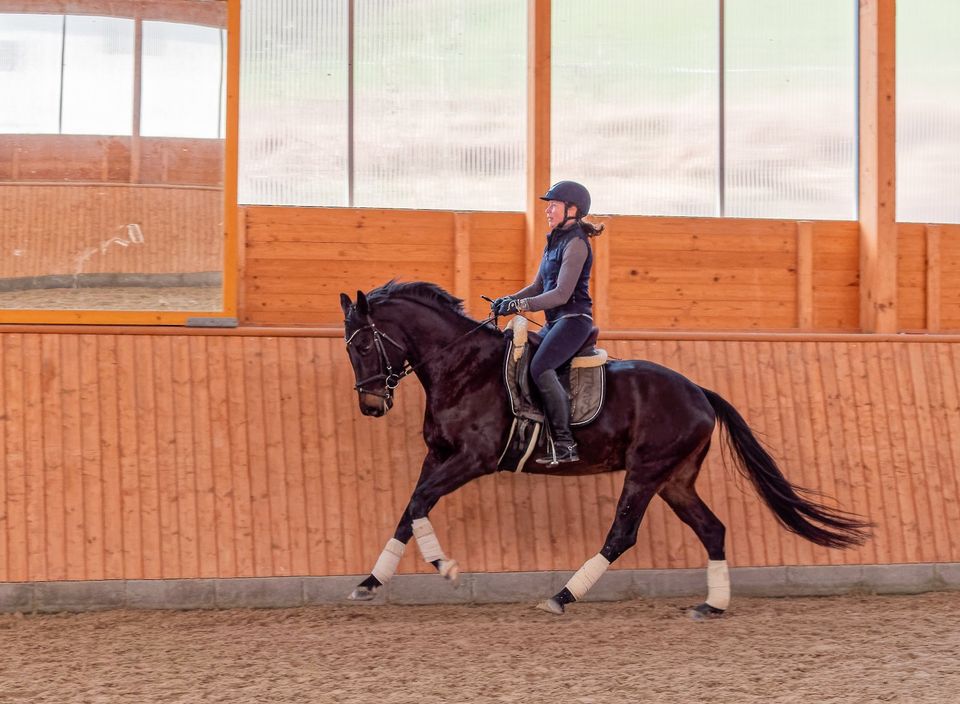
(670, 273)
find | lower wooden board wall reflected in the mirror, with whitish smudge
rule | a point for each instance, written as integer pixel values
(68, 229)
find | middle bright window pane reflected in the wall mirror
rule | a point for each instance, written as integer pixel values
(98, 76)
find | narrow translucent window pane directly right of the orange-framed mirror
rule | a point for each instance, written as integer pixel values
(293, 102)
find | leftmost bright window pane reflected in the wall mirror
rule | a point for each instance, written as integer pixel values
(30, 57)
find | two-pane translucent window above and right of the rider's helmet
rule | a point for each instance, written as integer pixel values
(638, 101)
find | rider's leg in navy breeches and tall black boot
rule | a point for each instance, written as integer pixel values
(564, 337)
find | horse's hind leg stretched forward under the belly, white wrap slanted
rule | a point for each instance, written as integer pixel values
(637, 491)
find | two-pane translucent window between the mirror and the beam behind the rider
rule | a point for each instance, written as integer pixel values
(438, 118)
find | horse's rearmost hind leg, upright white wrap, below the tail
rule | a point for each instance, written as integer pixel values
(682, 497)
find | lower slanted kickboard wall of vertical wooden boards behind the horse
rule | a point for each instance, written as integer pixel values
(168, 455)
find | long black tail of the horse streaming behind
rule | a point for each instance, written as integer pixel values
(797, 514)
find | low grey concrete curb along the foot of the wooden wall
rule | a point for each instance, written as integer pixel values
(480, 588)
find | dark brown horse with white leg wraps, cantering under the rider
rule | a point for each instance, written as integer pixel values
(656, 425)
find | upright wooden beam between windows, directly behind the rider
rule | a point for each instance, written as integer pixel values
(538, 128)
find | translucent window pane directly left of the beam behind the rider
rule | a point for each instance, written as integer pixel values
(440, 116)
